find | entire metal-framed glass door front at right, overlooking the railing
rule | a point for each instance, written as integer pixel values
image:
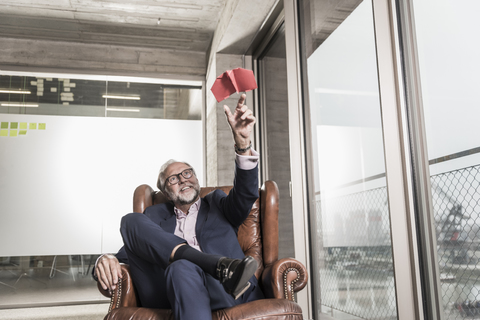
(367, 65)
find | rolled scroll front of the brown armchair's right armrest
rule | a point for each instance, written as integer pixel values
(283, 278)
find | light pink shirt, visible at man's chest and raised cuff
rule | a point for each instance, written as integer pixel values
(186, 222)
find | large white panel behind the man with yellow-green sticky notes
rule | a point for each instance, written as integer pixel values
(65, 182)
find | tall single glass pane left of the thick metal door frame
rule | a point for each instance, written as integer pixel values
(352, 255)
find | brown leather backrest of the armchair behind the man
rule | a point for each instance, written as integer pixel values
(258, 235)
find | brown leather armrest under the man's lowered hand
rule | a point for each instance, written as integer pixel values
(124, 294)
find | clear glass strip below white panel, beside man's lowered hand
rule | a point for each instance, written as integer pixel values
(45, 280)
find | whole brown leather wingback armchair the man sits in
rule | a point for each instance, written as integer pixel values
(258, 237)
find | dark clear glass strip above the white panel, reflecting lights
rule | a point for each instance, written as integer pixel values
(98, 98)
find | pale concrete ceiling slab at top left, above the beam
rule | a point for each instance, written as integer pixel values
(166, 24)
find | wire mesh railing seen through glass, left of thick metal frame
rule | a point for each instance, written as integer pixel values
(358, 274)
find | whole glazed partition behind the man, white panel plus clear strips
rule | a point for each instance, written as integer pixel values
(60, 134)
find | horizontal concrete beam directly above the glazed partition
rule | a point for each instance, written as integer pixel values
(16, 54)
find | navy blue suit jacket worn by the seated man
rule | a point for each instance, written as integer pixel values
(218, 220)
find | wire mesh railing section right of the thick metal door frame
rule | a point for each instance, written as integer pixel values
(456, 203)
